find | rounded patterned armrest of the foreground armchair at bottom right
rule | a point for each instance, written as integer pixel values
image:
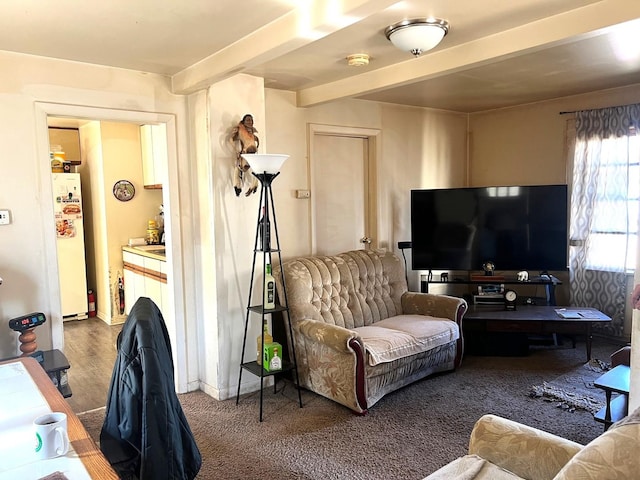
(525, 451)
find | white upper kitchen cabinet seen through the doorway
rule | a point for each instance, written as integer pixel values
(153, 142)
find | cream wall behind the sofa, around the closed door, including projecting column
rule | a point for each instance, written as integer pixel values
(420, 148)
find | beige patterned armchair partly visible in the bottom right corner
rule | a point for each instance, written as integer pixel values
(501, 449)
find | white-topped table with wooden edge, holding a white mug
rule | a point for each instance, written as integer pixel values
(25, 393)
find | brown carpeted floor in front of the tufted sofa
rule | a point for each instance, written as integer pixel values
(406, 435)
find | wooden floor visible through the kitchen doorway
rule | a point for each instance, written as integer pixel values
(89, 345)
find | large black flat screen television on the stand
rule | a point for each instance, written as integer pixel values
(515, 227)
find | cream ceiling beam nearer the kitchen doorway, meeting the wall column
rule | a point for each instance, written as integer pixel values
(308, 22)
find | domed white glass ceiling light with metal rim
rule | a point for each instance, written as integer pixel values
(417, 35)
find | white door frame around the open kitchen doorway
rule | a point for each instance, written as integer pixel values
(43, 110)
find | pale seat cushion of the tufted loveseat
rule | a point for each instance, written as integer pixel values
(404, 335)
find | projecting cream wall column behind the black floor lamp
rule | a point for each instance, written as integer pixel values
(226, 225)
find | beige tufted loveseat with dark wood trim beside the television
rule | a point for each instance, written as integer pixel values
(358, 333)
